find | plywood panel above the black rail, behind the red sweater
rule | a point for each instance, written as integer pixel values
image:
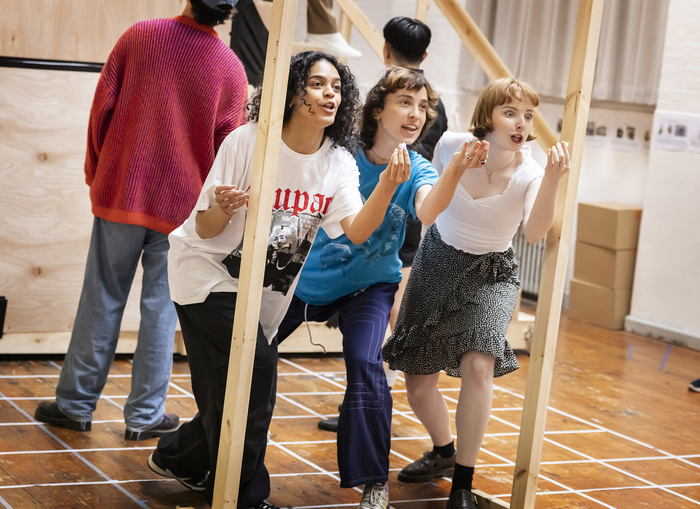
(82, 30)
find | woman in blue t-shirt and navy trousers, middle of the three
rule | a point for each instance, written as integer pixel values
(359, 281)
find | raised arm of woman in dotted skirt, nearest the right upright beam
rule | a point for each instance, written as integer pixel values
(541, 196)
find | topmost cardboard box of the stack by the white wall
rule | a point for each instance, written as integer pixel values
(611, 225)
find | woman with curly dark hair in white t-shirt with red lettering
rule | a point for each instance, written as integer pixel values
(316, 188)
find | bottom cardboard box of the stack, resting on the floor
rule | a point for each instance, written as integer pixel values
(599, 305)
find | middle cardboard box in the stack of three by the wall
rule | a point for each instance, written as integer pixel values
(604, 267)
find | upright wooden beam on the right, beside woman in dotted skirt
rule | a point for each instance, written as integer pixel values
(556, 256)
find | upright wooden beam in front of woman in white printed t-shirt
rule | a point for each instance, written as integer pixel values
(257, 229)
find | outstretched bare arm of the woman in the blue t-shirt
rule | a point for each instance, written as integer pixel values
(430, 201)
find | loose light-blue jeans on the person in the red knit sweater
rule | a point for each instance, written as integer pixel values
(115, 249)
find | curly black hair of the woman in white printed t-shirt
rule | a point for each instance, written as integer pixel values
(343, 131)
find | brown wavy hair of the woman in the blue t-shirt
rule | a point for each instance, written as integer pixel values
(393, 79)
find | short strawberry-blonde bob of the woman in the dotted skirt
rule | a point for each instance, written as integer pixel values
(502, 91)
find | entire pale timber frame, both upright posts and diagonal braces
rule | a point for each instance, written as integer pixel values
(556, 248)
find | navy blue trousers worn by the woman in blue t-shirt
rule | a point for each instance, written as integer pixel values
(364, 428)
